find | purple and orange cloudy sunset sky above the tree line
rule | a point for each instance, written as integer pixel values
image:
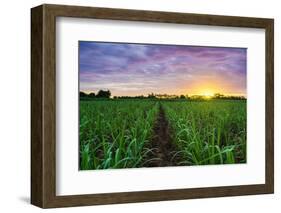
(140, 69)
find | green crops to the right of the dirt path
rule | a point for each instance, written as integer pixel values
(209, 132)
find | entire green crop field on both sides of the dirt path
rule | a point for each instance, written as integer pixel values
(116, 133)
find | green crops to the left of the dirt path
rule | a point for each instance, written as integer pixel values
(113, 134)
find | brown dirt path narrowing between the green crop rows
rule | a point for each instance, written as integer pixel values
(161, 143)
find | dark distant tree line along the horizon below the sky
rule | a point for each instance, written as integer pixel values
(107, 94)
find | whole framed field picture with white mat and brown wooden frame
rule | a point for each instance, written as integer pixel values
(136, 106)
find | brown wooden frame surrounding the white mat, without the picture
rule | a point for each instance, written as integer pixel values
(43, 105)
